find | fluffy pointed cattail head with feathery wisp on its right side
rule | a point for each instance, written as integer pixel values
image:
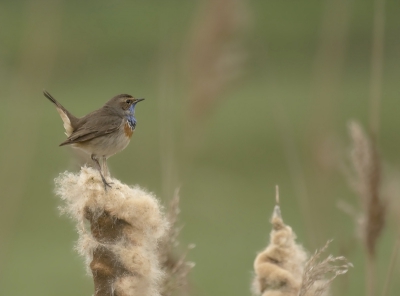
(281, 269)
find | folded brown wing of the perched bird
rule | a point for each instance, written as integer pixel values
(96, 124)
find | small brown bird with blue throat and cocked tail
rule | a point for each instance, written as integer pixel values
(101, 133)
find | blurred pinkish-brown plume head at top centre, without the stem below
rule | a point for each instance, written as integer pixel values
(215, 53)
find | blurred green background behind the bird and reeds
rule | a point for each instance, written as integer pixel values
(240, 96)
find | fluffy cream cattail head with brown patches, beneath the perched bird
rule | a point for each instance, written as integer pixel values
(126, 225)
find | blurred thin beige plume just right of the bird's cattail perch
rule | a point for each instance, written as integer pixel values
(176, 268)
